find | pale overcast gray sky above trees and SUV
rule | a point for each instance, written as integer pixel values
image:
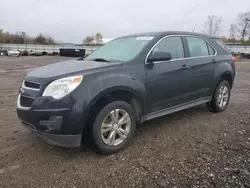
(72, 20)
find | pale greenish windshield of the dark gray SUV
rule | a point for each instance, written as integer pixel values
(121, 49)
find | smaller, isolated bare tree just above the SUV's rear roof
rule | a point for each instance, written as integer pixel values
(213, 24)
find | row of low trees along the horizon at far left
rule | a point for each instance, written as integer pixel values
(23, 38)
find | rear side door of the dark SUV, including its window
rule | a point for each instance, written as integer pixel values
(200, 67)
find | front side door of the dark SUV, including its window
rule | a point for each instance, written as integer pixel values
(167, 80)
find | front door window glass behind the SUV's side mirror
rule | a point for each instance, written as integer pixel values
(172, 45)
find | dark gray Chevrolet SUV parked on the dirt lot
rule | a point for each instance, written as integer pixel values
(129, 80)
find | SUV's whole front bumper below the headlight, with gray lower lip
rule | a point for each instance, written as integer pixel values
(59, 122)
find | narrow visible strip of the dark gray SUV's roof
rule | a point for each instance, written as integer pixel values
(160, 33)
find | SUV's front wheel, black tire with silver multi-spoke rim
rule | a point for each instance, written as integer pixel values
(107, 122)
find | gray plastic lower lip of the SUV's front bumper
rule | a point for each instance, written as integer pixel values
(67, 141)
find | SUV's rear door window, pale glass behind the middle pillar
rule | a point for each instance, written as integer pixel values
(197, 47)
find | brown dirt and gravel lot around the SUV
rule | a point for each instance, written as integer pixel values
(192, 148)
